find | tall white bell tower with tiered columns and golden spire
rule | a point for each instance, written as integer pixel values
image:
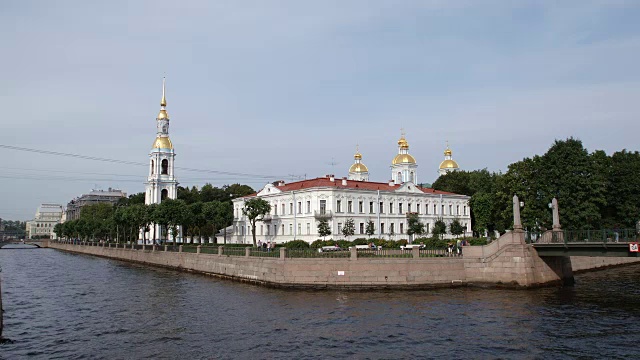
(161, 181)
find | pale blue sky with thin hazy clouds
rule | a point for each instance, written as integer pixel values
(283, 90)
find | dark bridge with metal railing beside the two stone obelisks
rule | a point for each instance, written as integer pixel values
(616, 243)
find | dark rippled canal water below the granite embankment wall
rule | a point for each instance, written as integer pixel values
(66, 306)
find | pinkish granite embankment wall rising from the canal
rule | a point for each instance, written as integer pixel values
(506, 262)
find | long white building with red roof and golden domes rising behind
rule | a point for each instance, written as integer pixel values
(298, 207)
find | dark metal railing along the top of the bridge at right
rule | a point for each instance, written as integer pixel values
(583, 236)
